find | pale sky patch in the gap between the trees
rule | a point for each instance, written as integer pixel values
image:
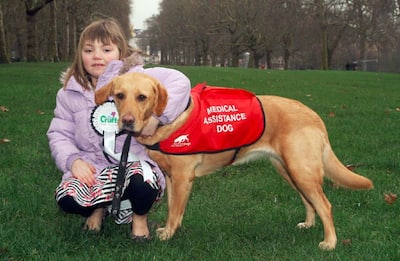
(143, 9)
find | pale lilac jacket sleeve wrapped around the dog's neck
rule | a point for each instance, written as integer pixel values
(178, 88)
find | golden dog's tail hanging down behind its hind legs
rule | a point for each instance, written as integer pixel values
(343, 176)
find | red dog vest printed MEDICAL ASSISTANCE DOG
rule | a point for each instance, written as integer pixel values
(222, 119)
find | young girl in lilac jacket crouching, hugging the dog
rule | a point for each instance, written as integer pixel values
(89, 155)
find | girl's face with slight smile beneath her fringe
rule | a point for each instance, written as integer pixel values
(96, 56)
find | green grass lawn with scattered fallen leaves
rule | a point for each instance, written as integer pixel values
(242, 213)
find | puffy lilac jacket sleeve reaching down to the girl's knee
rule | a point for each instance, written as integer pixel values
(61, 133)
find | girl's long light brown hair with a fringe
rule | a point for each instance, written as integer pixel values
(106, 31)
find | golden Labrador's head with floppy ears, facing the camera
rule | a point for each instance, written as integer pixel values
(137, 96)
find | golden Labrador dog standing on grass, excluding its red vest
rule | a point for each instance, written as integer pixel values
(295, 140)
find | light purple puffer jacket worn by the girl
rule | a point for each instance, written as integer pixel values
(71, 135)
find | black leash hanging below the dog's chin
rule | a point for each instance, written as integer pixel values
(116, 202)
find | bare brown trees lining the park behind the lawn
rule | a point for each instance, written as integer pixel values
(268, 34)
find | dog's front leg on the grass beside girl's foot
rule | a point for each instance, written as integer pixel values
(178, 189)
